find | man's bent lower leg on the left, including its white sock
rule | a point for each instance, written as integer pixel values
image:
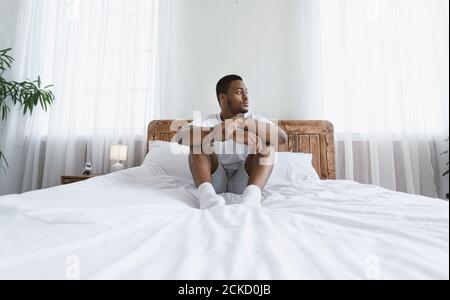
(202, 167)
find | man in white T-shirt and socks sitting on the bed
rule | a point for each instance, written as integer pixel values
(232, 151)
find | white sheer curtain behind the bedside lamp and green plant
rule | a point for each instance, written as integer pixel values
(101, 57)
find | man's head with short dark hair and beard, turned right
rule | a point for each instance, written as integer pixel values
(232, 95)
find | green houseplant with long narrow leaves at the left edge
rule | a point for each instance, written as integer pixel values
(26, 94)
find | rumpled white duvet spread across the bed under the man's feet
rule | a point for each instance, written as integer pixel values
(138, 224)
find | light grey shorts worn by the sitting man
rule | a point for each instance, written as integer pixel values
(233, 181)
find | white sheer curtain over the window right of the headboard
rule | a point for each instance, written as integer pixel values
(383, 82)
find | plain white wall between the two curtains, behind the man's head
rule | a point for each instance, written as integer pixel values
(205, 46)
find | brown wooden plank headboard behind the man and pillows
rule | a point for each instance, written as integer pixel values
(316, 137)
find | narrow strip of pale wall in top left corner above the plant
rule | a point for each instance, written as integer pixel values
(8, 19)
